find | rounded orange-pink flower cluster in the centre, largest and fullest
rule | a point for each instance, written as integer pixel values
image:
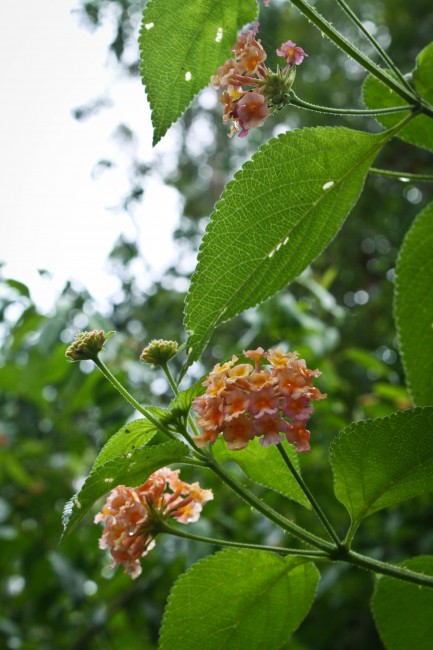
(268, 399)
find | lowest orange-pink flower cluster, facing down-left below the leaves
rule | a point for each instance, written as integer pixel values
(131, 515)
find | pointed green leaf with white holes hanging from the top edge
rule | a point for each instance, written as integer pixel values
(181, 45)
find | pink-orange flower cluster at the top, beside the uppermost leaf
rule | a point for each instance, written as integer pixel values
(249, 86)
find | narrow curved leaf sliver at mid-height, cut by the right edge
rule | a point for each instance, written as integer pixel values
(413, 307)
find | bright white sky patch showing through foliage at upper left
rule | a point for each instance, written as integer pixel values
(52, 214)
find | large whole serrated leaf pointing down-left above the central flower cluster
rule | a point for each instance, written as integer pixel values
(280, 211)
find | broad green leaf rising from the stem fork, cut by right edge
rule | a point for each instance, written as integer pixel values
(379, 463)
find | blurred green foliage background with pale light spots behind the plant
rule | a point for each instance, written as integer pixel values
(55, 417)
